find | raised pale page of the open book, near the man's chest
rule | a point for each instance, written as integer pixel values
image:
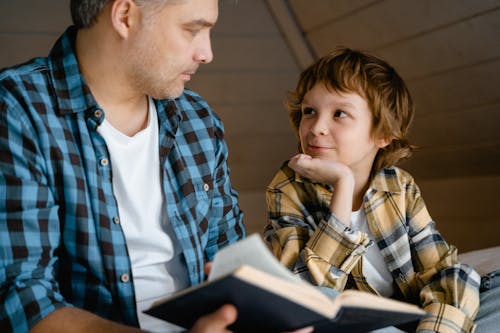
(250, 251)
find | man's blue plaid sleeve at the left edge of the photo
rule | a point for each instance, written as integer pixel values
(29, 226)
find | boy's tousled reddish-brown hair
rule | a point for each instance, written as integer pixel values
(347, 70)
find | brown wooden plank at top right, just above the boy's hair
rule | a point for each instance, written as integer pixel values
(392, 21)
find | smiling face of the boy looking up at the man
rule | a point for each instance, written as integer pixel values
(338, 127)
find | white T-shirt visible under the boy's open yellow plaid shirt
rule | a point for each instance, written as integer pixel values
(374, 268)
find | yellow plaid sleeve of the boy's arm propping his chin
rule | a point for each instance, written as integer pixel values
(324, 249)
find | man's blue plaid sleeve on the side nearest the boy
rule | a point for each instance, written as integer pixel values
(226, 218)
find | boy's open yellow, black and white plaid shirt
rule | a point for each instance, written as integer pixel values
(311, 241)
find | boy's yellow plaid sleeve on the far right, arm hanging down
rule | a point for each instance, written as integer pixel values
(449, 290)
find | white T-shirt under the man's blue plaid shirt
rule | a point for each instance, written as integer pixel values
(157, 267)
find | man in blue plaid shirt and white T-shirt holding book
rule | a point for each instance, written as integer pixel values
(114, 185)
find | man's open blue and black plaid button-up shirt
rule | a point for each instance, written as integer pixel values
(61, 243)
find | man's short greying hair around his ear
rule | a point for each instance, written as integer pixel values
(84, 13)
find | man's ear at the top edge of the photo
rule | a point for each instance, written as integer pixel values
(124, 15)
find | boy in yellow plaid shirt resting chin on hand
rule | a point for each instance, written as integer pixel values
(343, 216)
